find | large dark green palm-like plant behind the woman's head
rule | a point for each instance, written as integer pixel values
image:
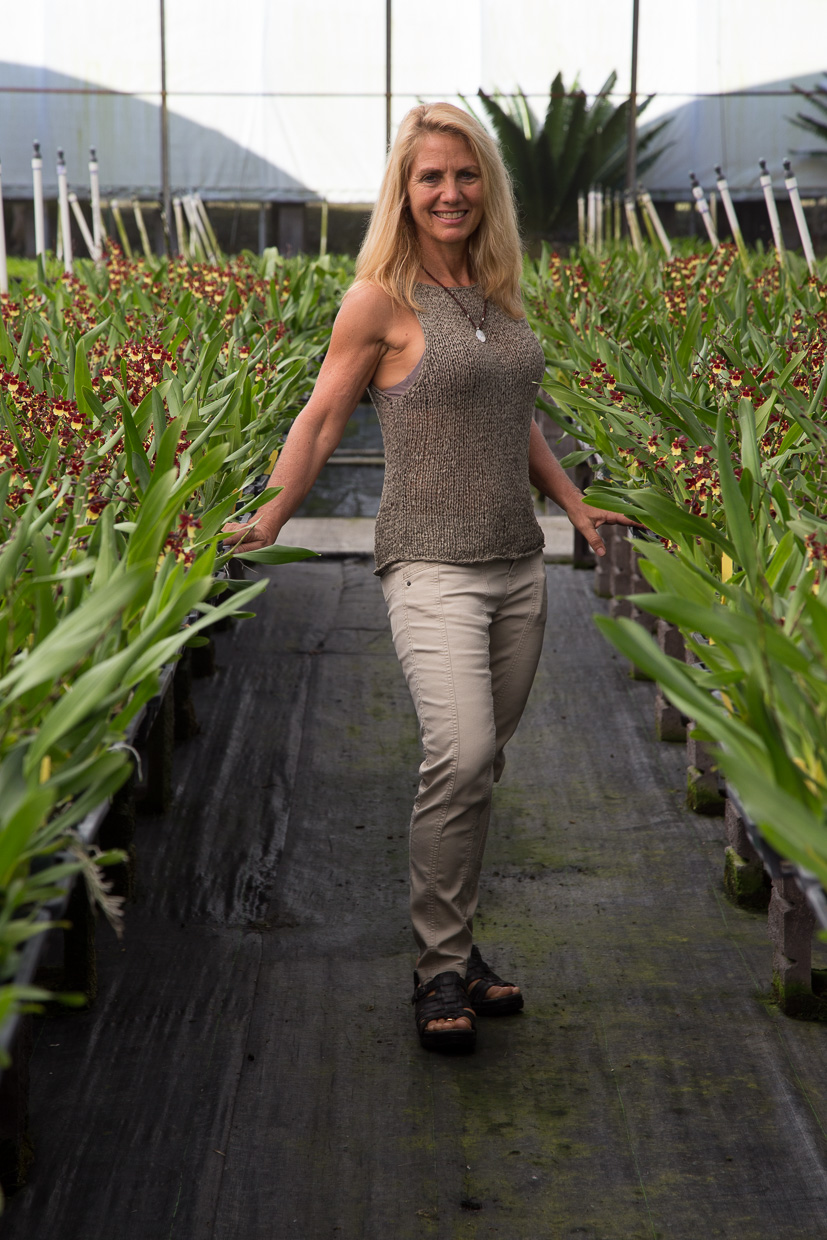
(576, 147)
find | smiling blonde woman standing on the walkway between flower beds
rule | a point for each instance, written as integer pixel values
(435, 324)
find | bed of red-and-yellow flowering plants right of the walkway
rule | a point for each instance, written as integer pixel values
(700, 392)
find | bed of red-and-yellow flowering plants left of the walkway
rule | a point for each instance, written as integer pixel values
(138, 401)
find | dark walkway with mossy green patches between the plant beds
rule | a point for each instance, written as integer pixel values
(251, 1071)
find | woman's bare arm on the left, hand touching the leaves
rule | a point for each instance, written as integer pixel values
(356, 348)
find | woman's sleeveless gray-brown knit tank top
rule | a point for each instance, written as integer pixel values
(457, 484)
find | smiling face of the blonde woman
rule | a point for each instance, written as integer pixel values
(446, 190)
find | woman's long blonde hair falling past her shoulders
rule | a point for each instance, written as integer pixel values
(391, 257)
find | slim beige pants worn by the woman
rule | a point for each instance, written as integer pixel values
(469, 639)
